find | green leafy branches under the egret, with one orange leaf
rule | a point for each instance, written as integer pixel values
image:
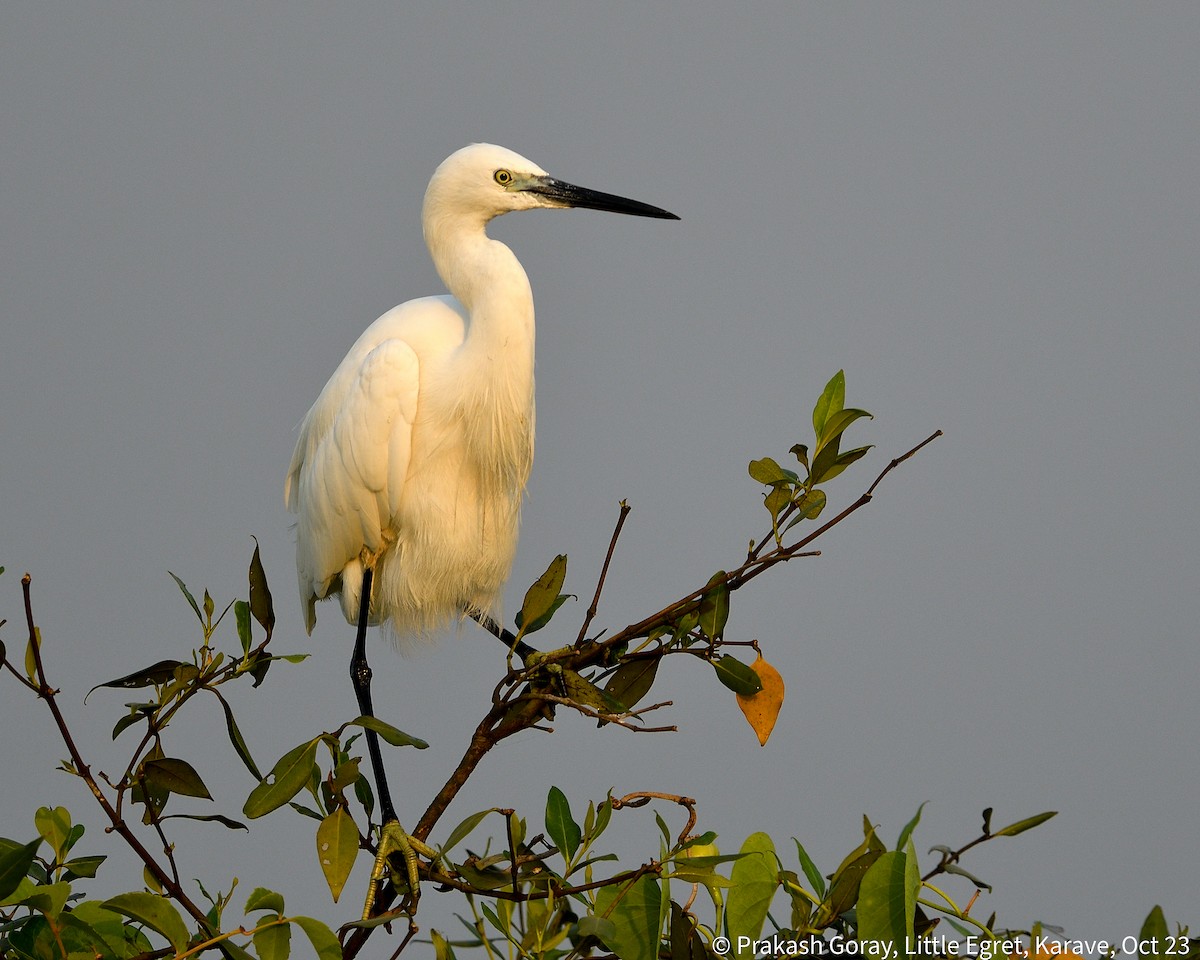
(555, 895)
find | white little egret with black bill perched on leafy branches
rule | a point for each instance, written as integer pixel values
(410, 470)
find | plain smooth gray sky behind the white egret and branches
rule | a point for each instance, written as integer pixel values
(987, 214)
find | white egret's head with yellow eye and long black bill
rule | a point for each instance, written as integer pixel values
(483, 182)
